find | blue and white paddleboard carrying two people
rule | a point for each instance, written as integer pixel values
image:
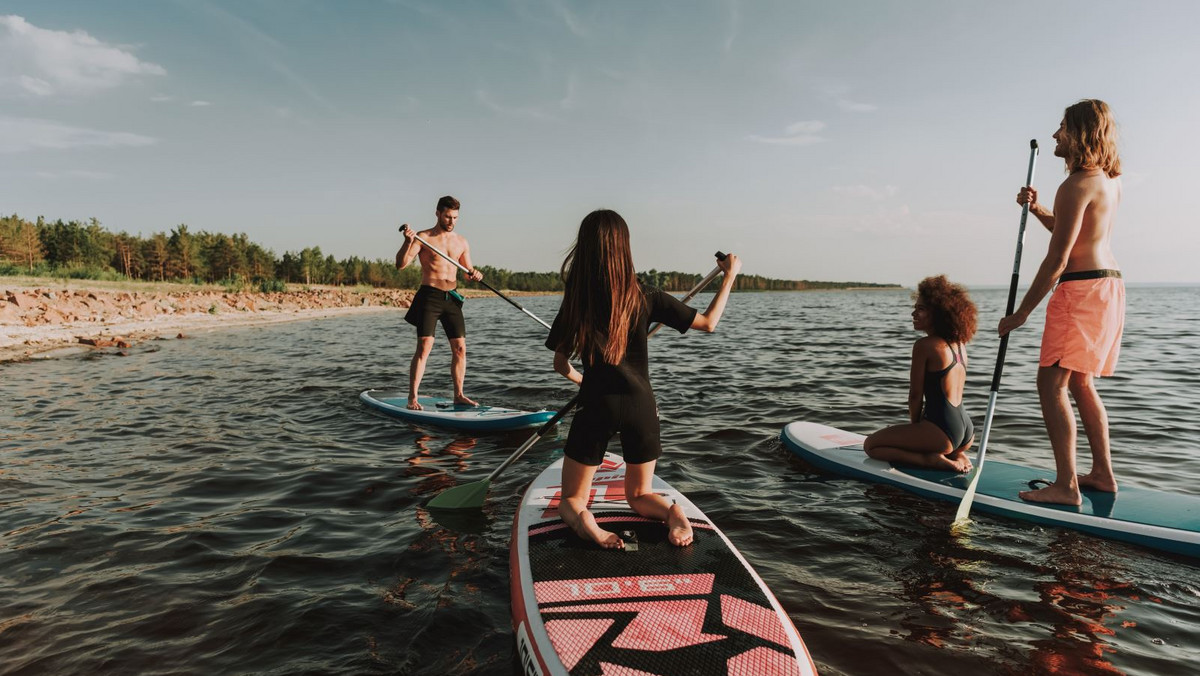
(1145, 517)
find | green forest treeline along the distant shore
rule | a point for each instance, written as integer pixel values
(89, 252)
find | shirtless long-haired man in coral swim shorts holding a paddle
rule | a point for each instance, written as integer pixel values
(1087, 314)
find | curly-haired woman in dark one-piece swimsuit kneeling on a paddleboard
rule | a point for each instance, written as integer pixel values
(940, 432)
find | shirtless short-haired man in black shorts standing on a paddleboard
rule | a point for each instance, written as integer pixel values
(437, 300)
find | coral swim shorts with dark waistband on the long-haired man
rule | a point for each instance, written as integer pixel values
(1085, 320)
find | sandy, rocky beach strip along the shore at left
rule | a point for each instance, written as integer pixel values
(41, 319)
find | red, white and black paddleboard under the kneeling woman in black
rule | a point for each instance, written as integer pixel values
(650, 609)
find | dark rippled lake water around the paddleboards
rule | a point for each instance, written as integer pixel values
(225, 505)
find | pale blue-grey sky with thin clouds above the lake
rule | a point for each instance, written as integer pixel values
(851, 141)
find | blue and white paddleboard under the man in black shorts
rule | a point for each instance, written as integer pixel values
(445, 412)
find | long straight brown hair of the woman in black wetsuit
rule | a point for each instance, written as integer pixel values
(602, 297)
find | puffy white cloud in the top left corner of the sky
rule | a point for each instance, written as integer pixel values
(44, 63)
